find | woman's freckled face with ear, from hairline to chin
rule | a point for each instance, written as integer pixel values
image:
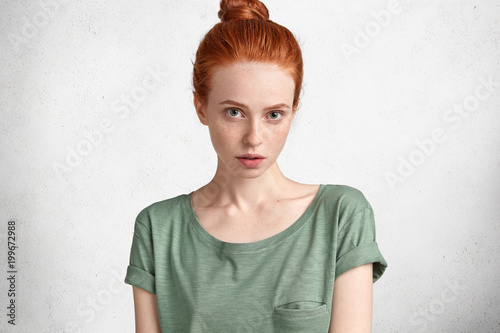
(248, 113)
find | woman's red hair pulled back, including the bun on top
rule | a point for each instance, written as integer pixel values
(245, 33)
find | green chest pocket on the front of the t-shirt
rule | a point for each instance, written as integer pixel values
(301, 316)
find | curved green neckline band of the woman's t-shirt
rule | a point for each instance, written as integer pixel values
(252, 246)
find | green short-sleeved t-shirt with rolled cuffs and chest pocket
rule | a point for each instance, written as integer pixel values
(283, 283)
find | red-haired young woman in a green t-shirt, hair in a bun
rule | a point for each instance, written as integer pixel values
(253, 251)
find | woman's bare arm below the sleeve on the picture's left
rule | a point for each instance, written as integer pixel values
(146, 311)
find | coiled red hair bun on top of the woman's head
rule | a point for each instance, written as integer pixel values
(242, 10)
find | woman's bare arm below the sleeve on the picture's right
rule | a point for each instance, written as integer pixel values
(353, 301)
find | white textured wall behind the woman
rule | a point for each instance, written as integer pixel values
(401, 100)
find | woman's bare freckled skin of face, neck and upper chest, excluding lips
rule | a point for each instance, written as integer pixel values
(249, 110)
